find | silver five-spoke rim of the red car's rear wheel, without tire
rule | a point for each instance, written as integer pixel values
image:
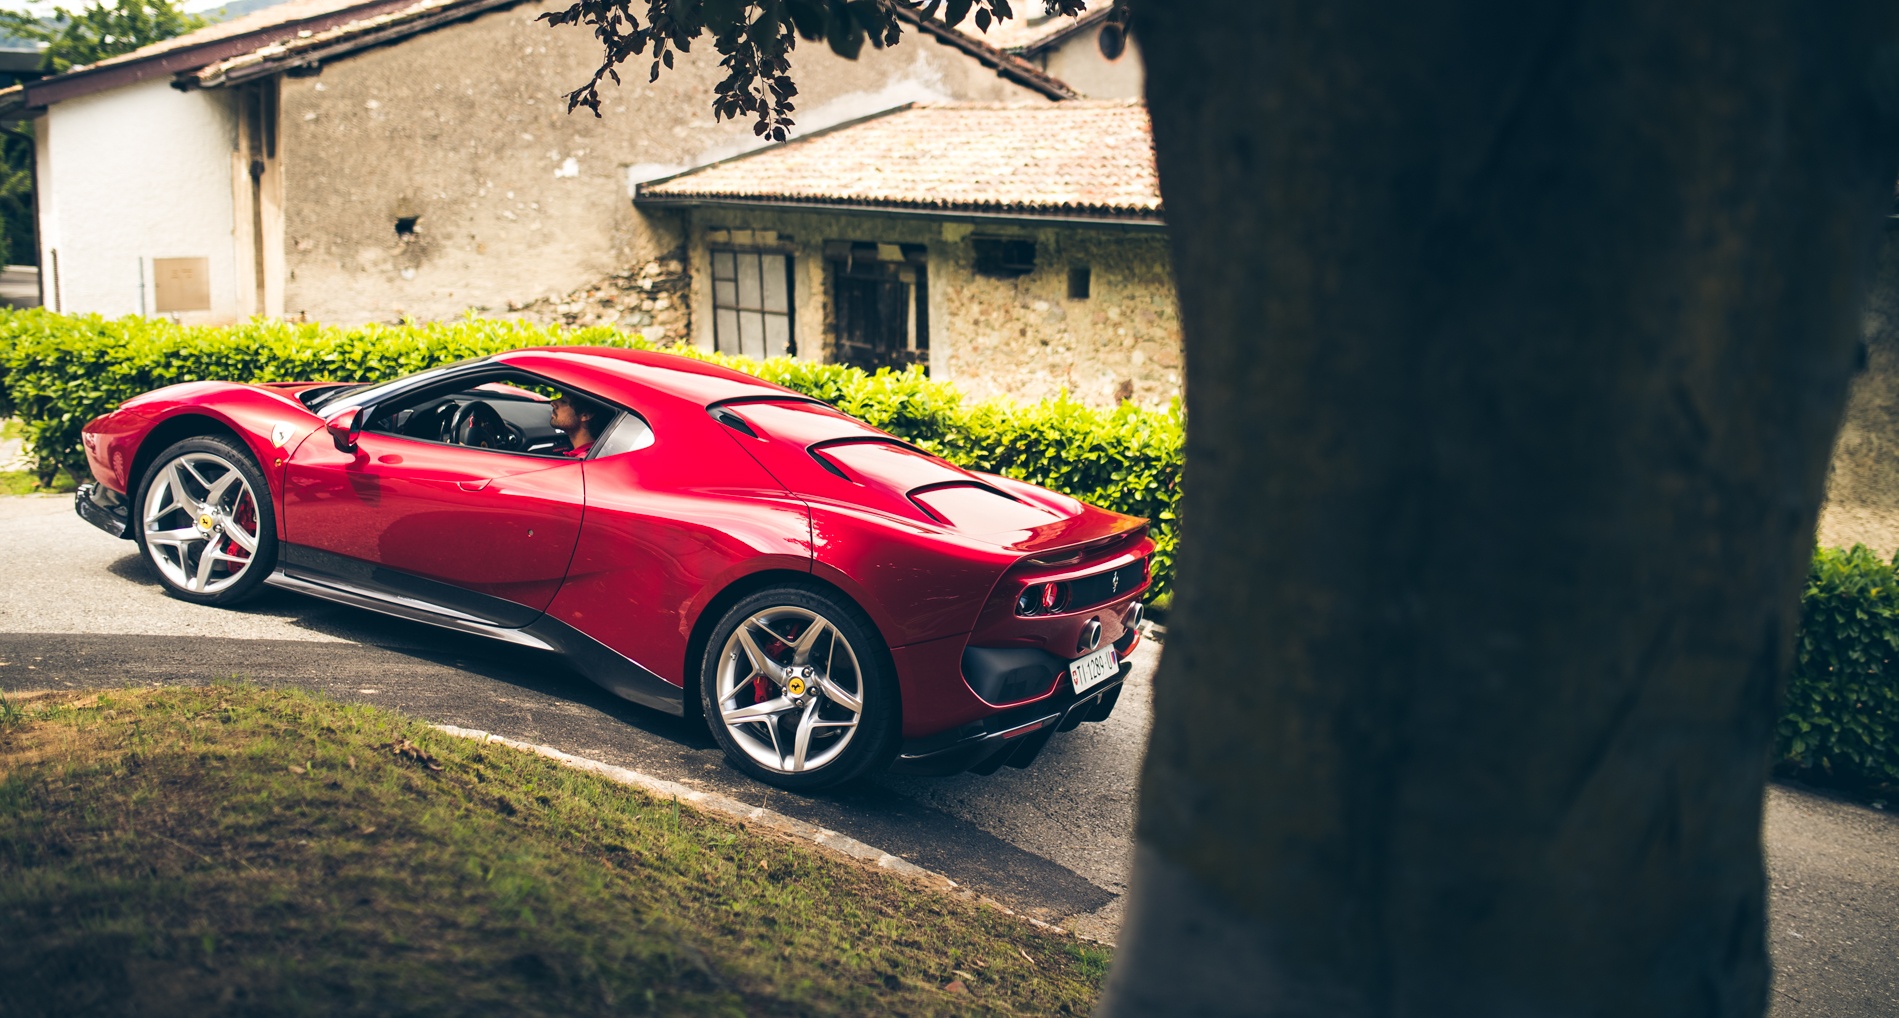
(791, 690)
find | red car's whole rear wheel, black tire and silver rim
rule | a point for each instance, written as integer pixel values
(821, 709)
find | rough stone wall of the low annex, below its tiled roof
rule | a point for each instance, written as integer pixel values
(1021, 339)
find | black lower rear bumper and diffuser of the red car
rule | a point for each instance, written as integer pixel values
(1015, 738)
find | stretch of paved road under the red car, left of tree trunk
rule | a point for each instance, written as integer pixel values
(77, 609)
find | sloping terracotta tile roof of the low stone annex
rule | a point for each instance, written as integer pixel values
(1074, 160)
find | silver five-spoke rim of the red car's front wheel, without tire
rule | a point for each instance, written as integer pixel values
(200, 523)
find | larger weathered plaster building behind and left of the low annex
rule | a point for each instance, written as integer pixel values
(371, 160)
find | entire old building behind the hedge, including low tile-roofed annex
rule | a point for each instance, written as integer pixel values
(947, 202)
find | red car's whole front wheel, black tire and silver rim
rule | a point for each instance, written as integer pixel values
(206, 499)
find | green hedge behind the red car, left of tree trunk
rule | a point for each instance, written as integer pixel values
(62, 371)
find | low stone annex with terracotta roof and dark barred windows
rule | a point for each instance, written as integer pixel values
(1015, 250)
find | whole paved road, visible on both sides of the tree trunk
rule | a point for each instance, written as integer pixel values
(77, 609)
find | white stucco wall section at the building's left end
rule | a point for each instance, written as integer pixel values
(141, 172)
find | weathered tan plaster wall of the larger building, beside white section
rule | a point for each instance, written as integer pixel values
(445, 174)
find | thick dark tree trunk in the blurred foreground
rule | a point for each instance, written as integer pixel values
(1516, 343)
